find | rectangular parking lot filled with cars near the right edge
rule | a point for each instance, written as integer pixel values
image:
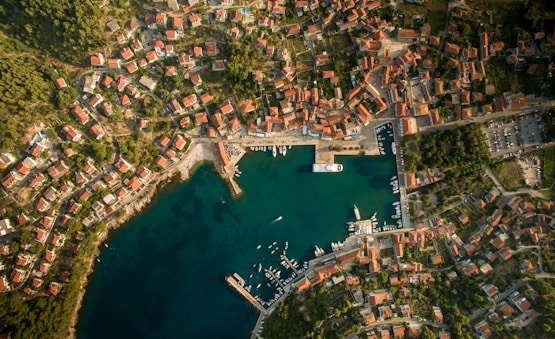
(506, 139)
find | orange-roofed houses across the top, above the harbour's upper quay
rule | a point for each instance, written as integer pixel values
(385, 79)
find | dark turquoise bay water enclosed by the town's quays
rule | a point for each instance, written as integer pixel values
(163, 273)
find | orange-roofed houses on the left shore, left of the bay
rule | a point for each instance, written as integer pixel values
(59, 192)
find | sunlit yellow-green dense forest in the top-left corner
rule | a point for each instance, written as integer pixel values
(65, 29)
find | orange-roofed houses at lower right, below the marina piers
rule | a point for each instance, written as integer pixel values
(507, 224)
